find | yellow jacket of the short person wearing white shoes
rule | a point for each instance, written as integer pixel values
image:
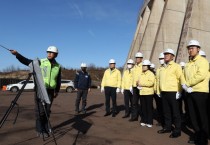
(146, 82)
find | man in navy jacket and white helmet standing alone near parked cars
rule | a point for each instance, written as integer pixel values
(82, 84)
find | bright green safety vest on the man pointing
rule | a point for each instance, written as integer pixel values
(49, 73)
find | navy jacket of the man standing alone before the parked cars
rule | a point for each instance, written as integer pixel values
(82, 80)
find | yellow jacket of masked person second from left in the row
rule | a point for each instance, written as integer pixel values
(127, 79)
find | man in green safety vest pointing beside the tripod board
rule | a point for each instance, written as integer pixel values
(51, 72)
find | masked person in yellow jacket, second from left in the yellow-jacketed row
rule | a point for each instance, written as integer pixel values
(127, 89)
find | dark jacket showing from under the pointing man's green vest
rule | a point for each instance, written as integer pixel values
(27, 61)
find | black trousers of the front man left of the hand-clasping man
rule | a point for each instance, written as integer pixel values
(171, 111)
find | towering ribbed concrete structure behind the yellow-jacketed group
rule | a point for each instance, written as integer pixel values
(171, 24)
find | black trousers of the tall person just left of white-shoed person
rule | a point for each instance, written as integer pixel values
(136, 105)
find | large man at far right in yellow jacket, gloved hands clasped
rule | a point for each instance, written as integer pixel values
(196, 79)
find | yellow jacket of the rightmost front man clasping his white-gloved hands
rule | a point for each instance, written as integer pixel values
(196, 74)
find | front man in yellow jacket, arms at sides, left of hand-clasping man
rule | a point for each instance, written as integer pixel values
(170, 87)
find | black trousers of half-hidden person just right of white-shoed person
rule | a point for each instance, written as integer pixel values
(159, 109)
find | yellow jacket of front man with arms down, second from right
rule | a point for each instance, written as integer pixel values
(170, 77)
